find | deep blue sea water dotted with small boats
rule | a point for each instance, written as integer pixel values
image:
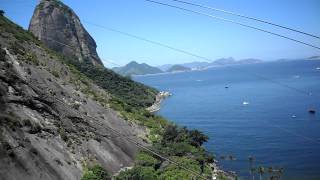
(275, 127)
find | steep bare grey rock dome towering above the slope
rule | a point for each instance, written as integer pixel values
(60, 28)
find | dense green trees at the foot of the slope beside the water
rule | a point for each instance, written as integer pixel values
(179, 145)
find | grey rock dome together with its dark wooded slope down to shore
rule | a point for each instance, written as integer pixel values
(55, 21)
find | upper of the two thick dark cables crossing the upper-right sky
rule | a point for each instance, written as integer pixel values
(246, 17)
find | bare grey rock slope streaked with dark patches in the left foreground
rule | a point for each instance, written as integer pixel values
(51, 127)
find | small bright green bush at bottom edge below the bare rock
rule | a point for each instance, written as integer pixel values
(95, 173)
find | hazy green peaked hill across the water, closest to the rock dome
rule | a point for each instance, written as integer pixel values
(134, 68)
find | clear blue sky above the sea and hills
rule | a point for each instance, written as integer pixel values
(198, 34)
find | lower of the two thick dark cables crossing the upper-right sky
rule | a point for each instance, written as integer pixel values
(233, 22)
